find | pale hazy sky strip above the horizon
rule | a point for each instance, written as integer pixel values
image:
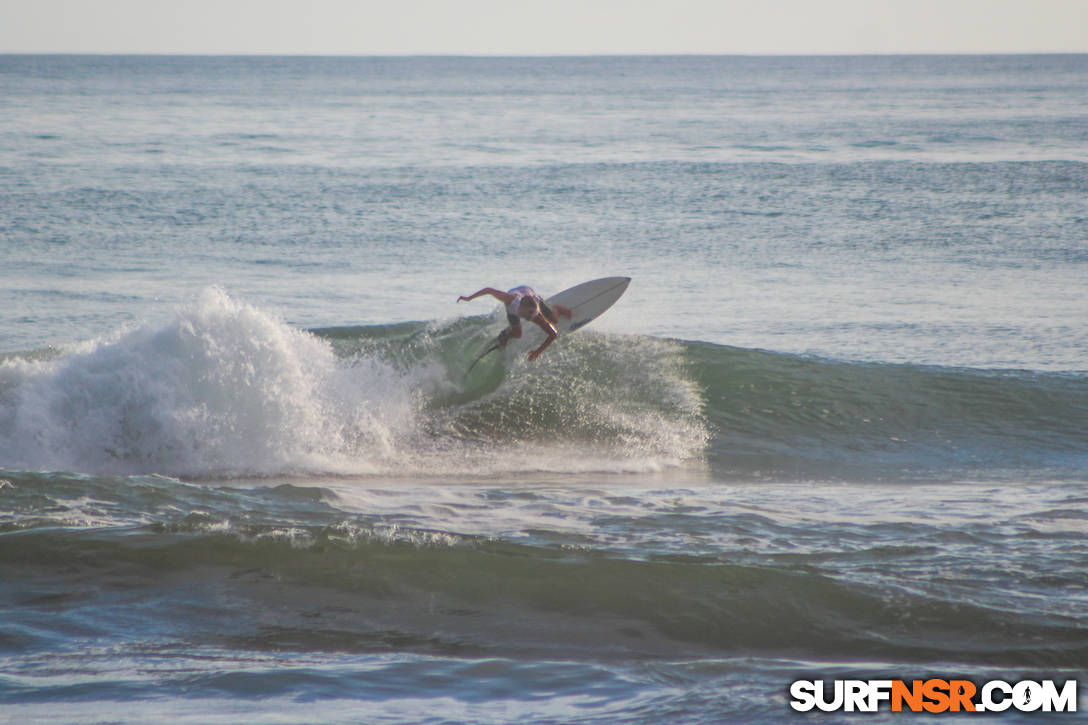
(543, 28)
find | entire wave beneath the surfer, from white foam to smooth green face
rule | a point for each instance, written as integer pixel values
(226, 390)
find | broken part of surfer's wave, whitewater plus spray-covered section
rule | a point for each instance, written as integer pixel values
(225, 389)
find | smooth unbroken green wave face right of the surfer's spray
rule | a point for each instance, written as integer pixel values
(787, 414)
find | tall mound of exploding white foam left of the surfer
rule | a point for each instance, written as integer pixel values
(221, 389)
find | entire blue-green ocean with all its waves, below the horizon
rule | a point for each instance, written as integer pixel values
(837, 427)
